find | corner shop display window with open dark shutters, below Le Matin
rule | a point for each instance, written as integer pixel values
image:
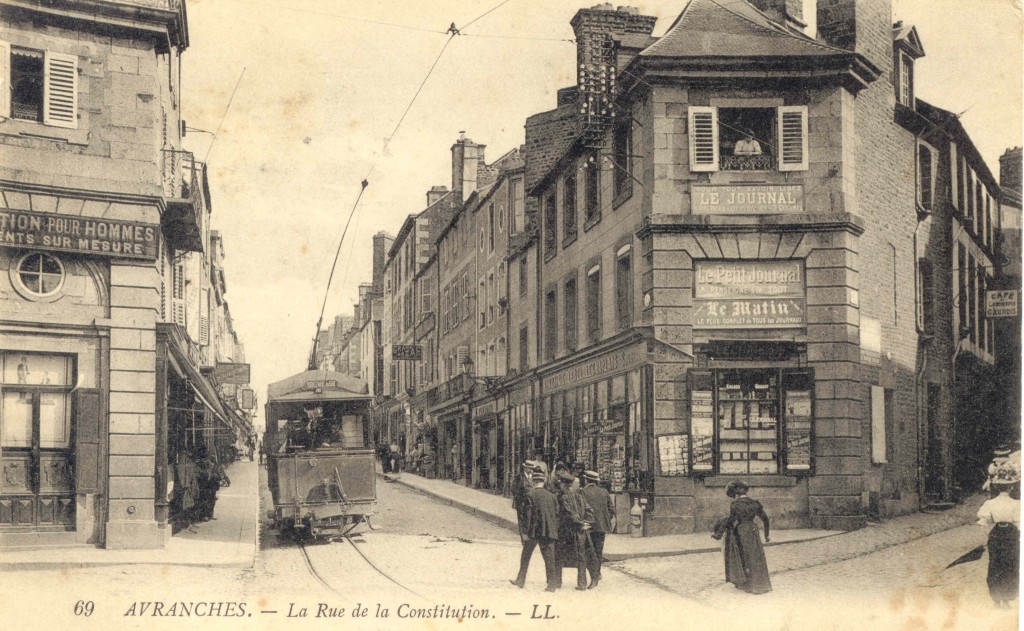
(751, 422)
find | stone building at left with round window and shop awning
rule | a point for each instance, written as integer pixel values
(107, 303)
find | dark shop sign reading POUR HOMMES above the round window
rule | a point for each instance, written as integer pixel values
(75, 234)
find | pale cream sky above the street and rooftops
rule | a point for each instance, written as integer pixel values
(324, 88)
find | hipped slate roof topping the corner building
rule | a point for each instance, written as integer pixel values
(733, 29)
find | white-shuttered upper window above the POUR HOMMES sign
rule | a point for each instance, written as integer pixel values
(44, 87)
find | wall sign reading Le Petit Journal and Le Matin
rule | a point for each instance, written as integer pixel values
(749, 296)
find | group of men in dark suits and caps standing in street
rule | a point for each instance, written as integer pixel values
(568, 522)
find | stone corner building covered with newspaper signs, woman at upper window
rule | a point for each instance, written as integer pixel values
(728, 267)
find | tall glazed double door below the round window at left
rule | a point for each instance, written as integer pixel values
(37, 482)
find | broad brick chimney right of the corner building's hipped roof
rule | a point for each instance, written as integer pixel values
(862, 26)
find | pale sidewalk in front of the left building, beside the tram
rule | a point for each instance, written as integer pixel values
(228, 541)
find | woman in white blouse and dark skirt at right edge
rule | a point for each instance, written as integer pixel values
(1003, 514)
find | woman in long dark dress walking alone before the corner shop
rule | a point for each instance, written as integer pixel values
(745, 558)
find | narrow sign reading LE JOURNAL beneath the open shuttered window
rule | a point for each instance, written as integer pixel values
(747, 200)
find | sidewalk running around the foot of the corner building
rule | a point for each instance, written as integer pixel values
(498, 510)
